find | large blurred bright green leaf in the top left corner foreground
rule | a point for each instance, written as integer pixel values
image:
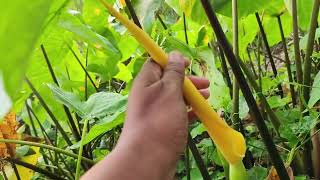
(20, 26)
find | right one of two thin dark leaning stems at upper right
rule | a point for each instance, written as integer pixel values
(288, 64)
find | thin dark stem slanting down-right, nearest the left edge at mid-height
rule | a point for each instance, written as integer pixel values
(54, 119)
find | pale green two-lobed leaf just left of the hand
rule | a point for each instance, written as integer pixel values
(99, 105)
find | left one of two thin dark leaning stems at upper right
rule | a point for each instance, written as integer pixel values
(266, 44)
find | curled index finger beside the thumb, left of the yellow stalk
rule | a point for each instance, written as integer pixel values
(150, 73)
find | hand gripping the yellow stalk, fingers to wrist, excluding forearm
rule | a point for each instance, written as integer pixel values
(157, 117)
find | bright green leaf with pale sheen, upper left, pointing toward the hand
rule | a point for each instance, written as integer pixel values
(74, 24)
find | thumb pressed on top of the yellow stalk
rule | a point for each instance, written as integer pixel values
(174, 71)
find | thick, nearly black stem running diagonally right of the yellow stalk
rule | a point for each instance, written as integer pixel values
(274, 155)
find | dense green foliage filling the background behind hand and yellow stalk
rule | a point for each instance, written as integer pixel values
(67, 67)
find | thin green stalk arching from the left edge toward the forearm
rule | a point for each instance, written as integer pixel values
(55, 149)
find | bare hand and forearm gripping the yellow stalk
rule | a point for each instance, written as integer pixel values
(156, 126)
